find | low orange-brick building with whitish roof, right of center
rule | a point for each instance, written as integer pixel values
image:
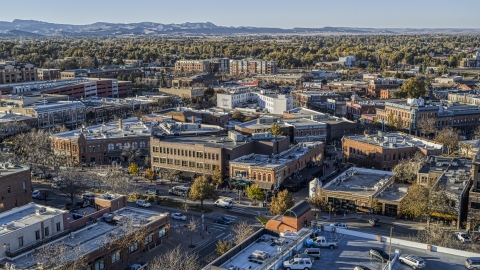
(384, 151)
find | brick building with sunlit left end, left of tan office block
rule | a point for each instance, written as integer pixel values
(102, 144)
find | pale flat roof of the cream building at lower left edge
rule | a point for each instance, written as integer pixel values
(26, 215)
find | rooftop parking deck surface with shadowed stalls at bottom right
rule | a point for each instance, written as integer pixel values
(353, 251)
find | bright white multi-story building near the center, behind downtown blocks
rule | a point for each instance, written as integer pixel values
(241, 96)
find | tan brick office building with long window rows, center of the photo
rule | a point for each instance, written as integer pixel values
(203, 154)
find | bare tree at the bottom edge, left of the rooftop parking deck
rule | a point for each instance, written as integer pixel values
(175, 259)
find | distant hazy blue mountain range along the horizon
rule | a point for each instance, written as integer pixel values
(31, 28)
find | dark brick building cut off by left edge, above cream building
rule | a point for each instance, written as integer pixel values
(15, 186)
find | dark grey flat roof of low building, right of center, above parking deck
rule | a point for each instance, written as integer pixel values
(360, 181)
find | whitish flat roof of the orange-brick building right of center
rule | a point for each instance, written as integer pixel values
(395, 140)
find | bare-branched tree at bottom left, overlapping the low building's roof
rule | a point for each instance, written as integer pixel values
(60, 256)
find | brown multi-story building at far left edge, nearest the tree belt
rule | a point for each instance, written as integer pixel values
(13, 72)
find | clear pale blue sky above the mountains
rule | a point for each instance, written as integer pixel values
(257, 13)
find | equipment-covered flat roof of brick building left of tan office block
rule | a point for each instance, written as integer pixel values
(131, 127)
